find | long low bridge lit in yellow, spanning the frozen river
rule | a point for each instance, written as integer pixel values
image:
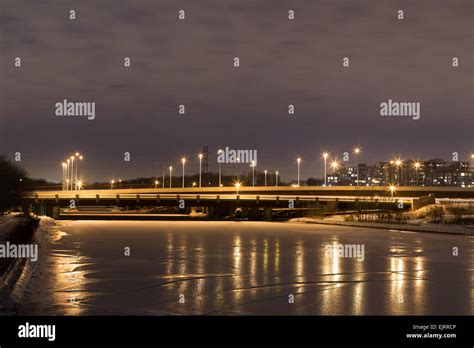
(225, 200)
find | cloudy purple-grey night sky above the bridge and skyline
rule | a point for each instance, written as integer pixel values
(190, 62)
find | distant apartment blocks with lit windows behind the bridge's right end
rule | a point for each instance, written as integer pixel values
(435, 172)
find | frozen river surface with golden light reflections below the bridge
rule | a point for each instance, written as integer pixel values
(186, 267)
